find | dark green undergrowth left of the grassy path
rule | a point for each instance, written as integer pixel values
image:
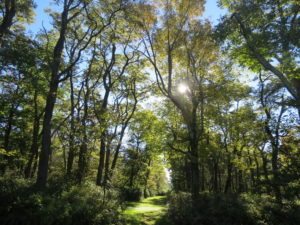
(86, 204)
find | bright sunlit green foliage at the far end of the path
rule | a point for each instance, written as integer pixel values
(143, 167)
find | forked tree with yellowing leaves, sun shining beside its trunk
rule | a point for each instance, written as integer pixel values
(161, 45)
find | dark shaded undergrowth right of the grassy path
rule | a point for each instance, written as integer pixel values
(221, 209)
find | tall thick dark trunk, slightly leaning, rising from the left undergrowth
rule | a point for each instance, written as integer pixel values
(71, 9)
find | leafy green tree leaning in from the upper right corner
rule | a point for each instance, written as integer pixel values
(265, 32)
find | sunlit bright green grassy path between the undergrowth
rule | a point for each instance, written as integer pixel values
(150, 211)
